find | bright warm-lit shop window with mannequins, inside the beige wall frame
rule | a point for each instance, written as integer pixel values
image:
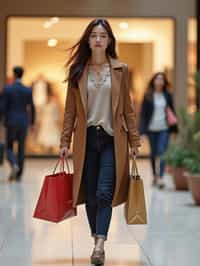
(42, 51)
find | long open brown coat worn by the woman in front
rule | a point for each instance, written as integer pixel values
(124, 125)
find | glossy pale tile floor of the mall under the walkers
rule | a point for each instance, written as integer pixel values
(171, 238)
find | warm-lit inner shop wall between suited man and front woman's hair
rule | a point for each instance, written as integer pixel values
(53, 67)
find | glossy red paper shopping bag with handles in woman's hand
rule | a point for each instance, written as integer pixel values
(55, 202)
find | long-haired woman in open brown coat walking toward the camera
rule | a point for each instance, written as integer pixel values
(99, 112)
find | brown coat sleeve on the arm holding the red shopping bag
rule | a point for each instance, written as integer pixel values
(69, 118)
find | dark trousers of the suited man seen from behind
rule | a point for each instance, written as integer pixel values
(16, 135)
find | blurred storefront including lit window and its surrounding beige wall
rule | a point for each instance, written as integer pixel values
(151, 37)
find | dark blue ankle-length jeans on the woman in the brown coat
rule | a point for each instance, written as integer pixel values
(99, 179)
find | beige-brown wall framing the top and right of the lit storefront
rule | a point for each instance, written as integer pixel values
(181, 10)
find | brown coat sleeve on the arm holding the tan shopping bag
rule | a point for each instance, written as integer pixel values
(129, 112)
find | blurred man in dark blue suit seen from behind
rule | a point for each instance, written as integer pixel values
(19, 113)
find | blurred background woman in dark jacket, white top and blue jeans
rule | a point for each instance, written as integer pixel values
(154, 124)
